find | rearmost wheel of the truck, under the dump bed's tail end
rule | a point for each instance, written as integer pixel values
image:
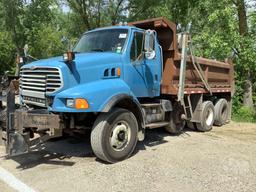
(221, 112)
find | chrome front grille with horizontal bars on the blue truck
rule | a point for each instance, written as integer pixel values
(37, 82)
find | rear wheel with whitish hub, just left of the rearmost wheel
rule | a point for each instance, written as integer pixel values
(206, 117)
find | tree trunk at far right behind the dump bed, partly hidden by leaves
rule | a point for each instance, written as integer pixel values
(243, 30)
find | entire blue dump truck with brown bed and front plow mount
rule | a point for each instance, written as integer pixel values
(117, 82)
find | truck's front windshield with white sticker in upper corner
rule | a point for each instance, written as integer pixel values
(107, 40)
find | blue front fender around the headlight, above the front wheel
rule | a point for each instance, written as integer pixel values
(97, 93)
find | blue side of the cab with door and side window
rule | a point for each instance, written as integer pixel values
(143, 74)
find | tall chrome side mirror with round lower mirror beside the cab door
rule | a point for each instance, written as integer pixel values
(149, 44)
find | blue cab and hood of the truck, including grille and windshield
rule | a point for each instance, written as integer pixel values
(108, 62)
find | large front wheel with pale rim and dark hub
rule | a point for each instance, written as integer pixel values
(114, 135)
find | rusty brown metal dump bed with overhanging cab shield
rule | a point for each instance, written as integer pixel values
(219, 75)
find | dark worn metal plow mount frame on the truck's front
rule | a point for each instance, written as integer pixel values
(24, 129)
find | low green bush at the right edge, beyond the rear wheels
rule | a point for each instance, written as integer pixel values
(245, 114)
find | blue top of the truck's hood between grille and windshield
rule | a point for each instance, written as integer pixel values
(87, 67)
